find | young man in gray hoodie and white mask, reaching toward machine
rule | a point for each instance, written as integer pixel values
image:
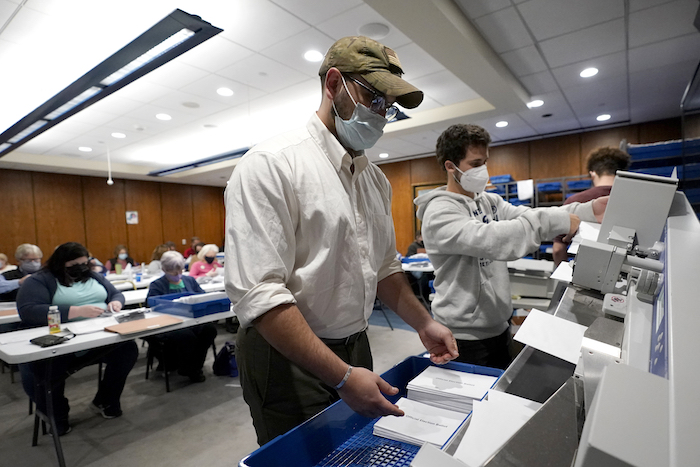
(469, 235)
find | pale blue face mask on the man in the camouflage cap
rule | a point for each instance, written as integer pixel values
(362, 130)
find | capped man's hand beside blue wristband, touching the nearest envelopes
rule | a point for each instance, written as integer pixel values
(363, 394)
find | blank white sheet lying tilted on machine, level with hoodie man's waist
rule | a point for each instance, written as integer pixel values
(552, 335)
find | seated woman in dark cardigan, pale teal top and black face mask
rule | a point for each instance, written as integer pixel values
(67, 281)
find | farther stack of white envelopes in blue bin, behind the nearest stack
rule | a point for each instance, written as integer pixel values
(449, 389)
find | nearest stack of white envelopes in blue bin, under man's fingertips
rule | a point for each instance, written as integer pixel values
(421, 424)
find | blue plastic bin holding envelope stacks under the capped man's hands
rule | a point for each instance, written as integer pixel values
(338, 436)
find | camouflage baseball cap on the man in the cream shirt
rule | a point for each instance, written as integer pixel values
(378, 64)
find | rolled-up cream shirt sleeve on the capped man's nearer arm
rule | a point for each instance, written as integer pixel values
(260, 236)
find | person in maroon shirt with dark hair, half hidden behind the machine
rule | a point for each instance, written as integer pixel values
(602, 164)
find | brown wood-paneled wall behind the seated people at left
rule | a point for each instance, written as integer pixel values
(48, 209)
